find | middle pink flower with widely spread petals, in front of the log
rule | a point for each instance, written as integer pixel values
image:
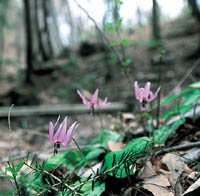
(94, 101)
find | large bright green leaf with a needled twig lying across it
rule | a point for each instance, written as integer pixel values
(124, 159)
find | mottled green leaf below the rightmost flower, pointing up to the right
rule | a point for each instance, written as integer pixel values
(160, 135)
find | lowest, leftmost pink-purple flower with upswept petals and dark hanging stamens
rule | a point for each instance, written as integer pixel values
(62, 135)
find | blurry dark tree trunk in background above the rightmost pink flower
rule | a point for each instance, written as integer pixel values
(155, 21)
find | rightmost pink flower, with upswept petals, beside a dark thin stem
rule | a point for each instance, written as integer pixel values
(145, 95)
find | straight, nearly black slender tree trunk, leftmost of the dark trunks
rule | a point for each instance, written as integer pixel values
(29, 44)
